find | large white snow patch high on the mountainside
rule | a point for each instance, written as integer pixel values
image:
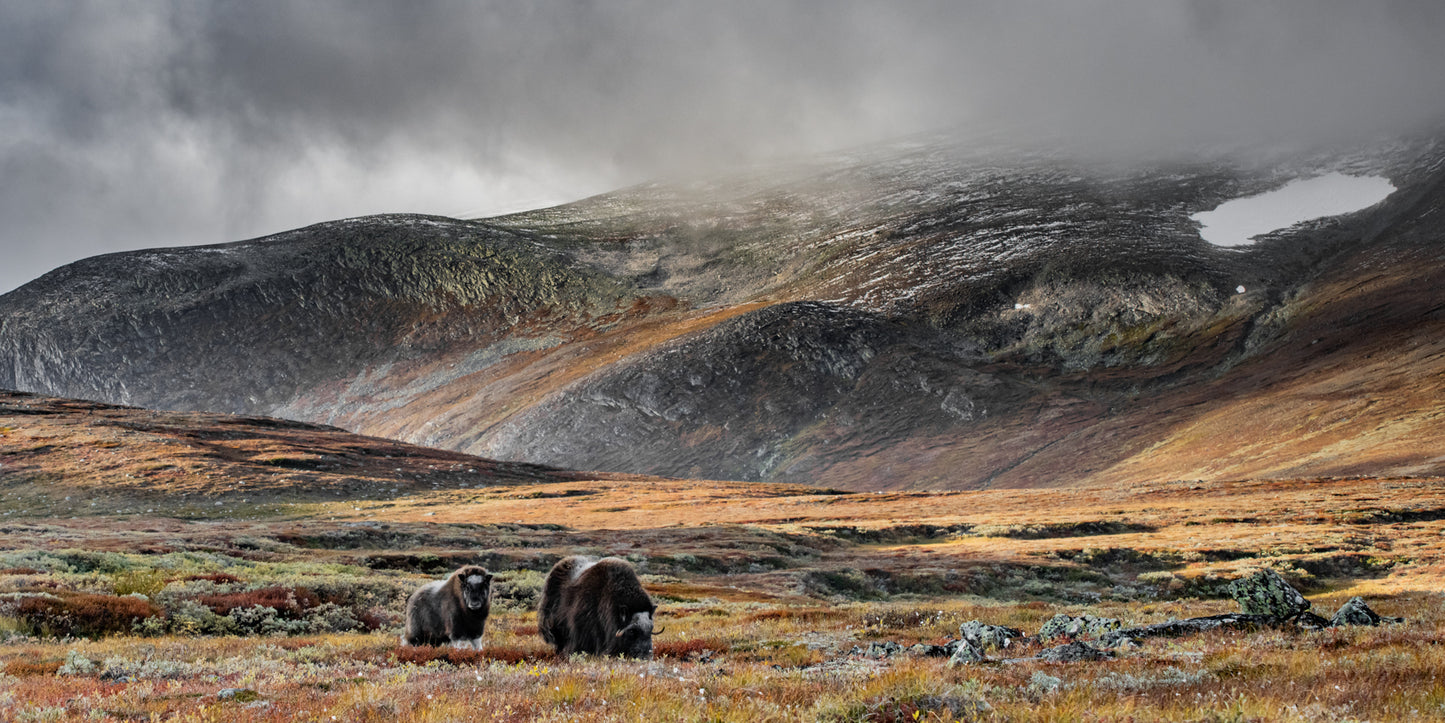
(1238, 222)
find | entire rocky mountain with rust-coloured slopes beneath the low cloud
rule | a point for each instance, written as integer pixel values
(917, 316)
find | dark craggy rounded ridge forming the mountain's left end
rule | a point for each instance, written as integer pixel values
(245, 328)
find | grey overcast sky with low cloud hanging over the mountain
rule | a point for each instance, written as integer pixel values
(129, 125)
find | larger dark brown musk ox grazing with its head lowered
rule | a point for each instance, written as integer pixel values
(598, 608)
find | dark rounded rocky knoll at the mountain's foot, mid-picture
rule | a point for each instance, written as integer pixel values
(733, 401)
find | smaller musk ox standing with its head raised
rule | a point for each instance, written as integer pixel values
(452, 611)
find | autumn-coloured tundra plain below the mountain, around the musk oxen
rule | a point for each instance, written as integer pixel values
(210, 569)
